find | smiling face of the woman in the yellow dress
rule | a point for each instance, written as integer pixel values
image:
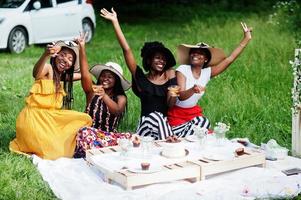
(65, 59)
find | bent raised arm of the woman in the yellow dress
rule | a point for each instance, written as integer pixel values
(41, 69)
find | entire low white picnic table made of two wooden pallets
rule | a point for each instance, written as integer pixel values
(192, 168)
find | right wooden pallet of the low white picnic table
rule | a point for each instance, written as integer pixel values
(250, 158)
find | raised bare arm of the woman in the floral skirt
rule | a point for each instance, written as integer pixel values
(86, 79)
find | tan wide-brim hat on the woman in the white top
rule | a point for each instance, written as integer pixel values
(217, 54)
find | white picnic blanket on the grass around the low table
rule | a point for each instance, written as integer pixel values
(75, 179)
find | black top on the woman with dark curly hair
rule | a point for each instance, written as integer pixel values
(153, 97)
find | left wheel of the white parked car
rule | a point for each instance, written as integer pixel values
(17, 40)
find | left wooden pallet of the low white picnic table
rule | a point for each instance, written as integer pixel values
(178, 171)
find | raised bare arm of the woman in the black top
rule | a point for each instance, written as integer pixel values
(127, 52)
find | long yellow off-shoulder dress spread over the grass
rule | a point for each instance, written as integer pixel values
(43, 128)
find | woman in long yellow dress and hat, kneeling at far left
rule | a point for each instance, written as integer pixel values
(43, 127)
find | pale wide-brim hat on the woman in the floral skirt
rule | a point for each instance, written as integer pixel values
(113, 67)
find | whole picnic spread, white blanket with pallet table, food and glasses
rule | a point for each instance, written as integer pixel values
(218, 169)
